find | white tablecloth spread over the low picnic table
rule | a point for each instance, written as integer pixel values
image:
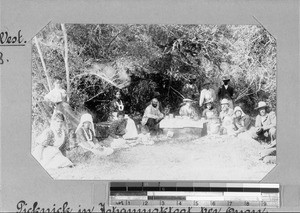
(176, 123)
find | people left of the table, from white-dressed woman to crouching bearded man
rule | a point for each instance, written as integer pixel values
(57, 141)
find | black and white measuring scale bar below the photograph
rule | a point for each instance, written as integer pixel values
(194, 194)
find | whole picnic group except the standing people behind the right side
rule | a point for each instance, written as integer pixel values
(55, 141)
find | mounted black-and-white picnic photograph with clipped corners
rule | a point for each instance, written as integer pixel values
(154, 101)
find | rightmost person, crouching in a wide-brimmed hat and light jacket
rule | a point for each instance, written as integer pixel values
(265, 123)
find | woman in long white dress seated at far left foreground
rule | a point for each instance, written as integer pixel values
(52, 144)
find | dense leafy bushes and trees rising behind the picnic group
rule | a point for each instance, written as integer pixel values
(144, 61)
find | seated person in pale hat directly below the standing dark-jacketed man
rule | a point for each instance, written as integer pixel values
(226, 117)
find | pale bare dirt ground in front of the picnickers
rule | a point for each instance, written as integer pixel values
(206, 158)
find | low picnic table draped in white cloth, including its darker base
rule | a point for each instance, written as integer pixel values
(182, 126)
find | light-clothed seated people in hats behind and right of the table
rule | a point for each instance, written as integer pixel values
(234, 121)
